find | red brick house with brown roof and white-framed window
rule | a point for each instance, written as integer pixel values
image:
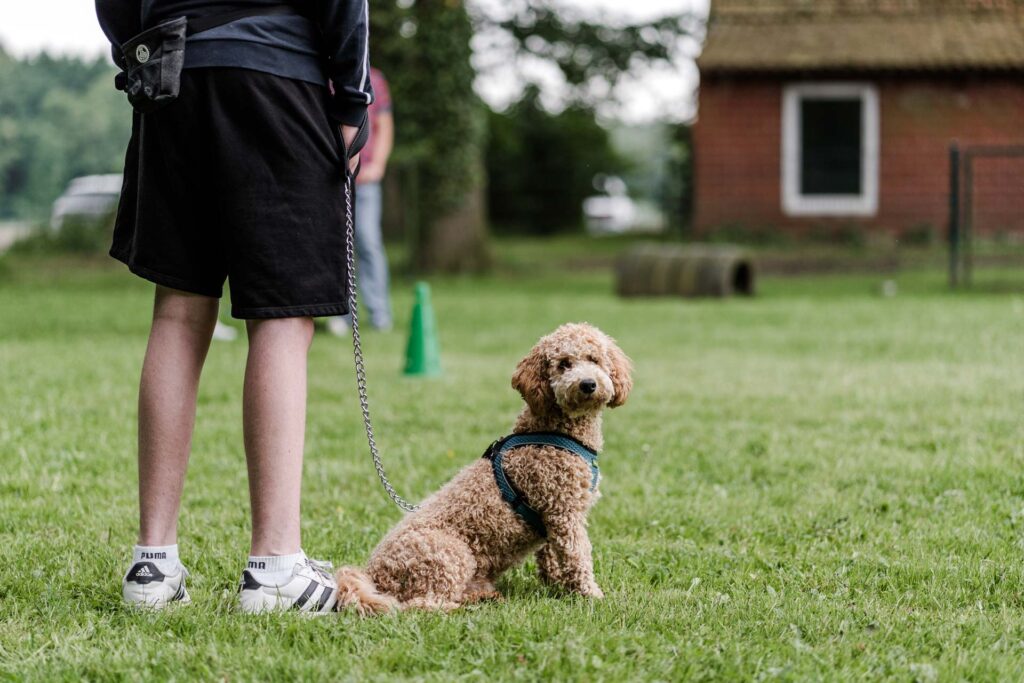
(822, 116)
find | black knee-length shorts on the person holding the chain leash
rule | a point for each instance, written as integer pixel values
(241, 178)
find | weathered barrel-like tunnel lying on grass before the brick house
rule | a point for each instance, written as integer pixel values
(700, 271)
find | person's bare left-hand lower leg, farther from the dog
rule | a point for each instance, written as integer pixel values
(180, 339)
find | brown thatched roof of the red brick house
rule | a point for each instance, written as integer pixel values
(864, 35)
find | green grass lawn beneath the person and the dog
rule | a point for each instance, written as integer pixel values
(817, 484)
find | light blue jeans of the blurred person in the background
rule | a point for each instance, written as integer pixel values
(371, 271)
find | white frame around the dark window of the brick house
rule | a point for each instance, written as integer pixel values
(797, 204)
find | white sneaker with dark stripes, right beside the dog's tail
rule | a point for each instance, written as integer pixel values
(312, 589)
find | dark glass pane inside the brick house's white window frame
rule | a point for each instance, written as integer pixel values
(831, 144)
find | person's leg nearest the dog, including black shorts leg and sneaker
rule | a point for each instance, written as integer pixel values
(278, 165)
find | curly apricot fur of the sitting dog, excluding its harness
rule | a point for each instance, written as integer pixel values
(452, 550)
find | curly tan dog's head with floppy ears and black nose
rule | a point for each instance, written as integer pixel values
(577, 370)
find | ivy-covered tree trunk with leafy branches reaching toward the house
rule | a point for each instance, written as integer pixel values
(424, 49)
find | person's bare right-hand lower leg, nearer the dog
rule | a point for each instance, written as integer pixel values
(275, 422)
